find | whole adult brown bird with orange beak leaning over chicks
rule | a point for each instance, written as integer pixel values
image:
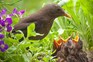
(43, 20)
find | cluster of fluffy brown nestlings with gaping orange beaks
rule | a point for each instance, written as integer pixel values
(69, 50)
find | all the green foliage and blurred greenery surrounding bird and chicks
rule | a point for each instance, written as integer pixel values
(41, 50)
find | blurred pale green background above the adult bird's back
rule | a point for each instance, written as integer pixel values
(29, 5)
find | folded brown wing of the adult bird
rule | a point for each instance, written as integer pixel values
(24, 23)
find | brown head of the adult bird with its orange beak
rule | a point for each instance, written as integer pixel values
(55, 10)
